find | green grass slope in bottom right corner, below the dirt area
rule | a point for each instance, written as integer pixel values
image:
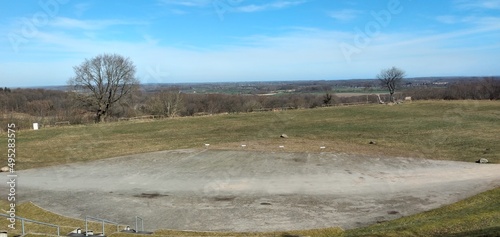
(476, 216)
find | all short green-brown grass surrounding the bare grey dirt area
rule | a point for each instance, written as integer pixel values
(447, 130)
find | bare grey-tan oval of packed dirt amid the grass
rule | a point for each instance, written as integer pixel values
(252, 191)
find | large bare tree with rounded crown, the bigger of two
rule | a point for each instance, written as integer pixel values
(102, 81)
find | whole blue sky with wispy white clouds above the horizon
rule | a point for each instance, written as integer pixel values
(175, 41)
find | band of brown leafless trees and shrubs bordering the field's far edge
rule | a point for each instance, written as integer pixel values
(51, 106)
